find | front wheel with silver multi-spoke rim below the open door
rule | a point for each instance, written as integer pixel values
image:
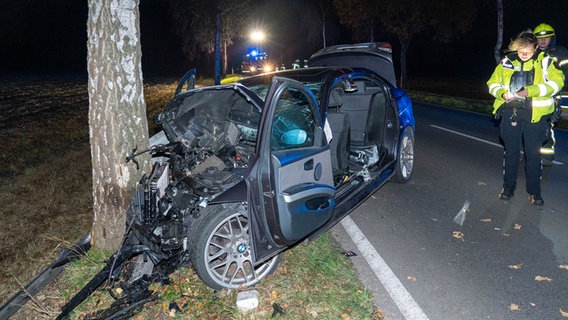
(221, 250)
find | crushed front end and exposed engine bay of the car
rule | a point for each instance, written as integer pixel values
(197, 159)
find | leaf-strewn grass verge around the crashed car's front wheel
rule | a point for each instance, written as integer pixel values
(313, 281)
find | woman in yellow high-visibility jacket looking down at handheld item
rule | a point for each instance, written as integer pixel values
(523, 85)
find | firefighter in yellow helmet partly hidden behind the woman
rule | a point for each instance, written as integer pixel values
(546, 36)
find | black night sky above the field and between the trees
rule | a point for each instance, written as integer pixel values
(49, 36)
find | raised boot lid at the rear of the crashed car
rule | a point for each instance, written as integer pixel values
(375, 56)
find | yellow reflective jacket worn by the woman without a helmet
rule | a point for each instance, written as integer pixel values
(548, 81)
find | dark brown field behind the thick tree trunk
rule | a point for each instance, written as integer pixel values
(45, 171)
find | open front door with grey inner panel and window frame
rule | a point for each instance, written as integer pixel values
(295, 190)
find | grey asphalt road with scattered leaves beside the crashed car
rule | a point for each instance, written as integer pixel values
(508, 260)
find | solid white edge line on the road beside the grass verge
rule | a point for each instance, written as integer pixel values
(404, 301)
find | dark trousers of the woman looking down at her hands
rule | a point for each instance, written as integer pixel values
(524, 136)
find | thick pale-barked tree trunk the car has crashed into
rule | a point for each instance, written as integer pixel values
(117, 112)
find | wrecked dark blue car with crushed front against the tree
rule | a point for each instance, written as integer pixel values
(244, 171)
